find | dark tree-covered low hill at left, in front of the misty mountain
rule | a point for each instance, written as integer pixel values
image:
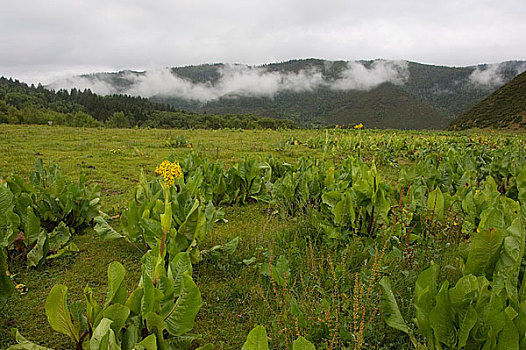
(24, 104)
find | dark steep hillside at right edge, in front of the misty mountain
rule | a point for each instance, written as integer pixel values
(505, 108)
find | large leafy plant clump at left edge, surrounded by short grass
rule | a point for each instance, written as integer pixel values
(37, 218)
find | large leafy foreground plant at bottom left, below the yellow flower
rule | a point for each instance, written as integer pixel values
(158, 314)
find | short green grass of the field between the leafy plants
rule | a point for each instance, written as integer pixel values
(236, 296)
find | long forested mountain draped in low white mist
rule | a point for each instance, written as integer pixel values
(313, 92)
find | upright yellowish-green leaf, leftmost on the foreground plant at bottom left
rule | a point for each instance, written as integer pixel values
(57, 312)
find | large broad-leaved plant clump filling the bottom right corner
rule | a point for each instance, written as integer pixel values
(486, 307)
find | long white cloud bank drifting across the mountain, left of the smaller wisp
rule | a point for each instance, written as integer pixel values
(241, 80)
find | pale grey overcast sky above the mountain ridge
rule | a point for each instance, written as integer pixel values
(43, 40)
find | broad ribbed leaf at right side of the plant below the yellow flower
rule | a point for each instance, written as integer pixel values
(181, 316)
